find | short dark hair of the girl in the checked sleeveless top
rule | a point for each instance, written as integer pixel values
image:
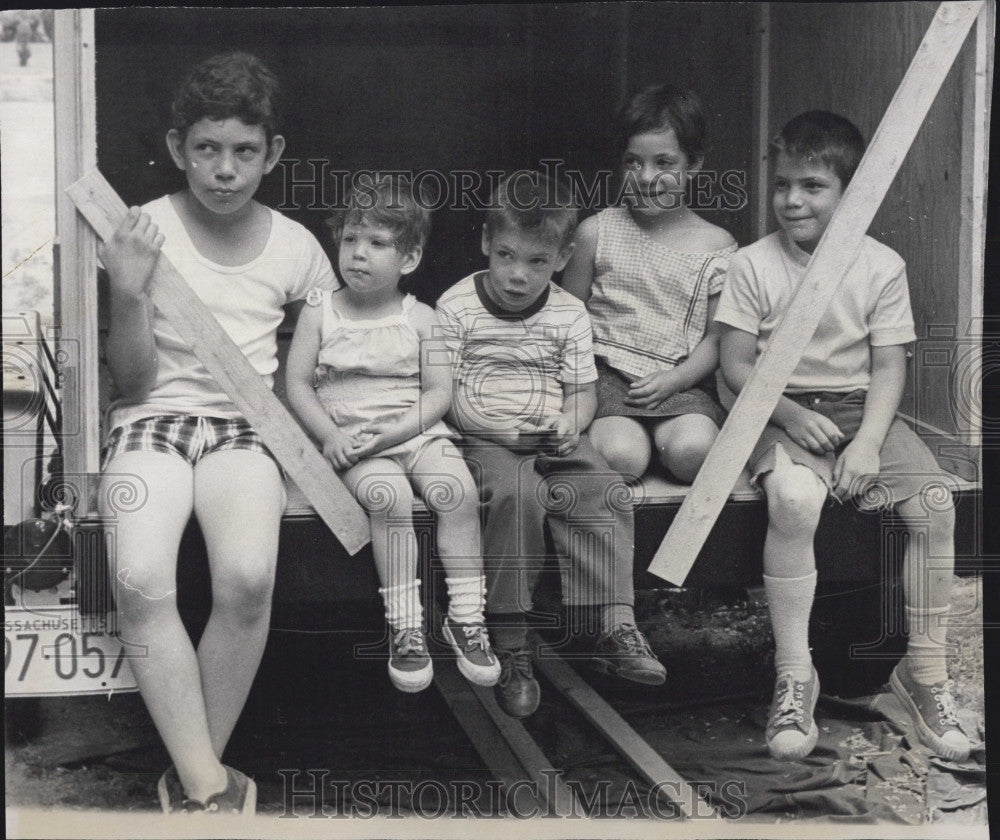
(657, 108)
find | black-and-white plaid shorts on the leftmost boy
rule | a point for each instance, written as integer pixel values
(192, 437)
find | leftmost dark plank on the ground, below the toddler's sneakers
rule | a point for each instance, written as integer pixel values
(485, 737)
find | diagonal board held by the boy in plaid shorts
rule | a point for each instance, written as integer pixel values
(98, 203)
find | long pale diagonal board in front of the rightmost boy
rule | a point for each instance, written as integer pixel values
(830, 262)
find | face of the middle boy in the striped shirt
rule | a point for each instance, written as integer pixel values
(521, 266)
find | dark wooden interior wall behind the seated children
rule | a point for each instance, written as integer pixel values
(499, 87)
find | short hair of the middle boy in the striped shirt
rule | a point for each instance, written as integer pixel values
(533, 203)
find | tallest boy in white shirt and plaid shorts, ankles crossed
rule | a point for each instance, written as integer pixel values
(175, 430)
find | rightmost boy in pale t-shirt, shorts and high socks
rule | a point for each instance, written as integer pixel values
(835, 432)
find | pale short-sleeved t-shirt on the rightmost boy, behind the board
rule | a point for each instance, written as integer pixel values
(870, 309)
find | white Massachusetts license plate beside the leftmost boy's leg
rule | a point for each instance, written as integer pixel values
(54, 651)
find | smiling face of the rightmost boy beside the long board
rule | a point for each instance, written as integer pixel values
(806, 193)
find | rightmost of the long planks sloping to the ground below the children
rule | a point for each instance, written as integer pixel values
(619, 734)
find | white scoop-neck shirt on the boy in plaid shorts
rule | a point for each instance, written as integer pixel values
(247, 300)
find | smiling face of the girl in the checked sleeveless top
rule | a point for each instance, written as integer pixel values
(656, 171)
